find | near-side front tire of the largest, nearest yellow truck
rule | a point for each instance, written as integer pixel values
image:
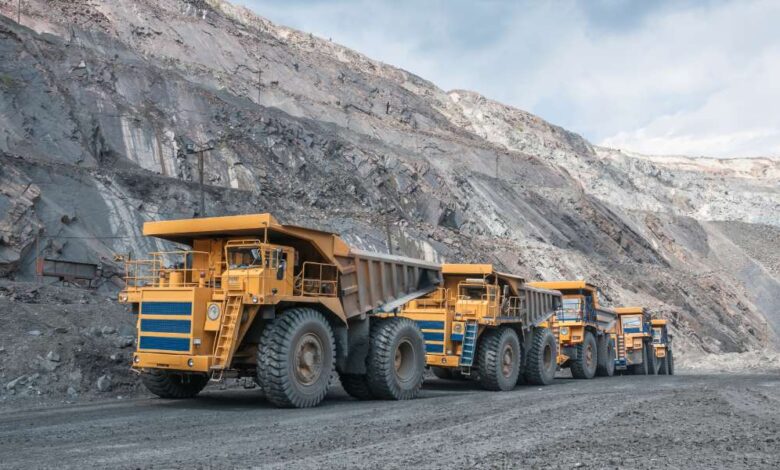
(295, 359)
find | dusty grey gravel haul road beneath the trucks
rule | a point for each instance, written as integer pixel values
(722, 421)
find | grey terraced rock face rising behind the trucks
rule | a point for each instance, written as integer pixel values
(100, 101)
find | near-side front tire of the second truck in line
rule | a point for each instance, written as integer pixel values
(498, 359)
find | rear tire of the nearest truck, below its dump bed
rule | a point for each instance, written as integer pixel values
(396, 359)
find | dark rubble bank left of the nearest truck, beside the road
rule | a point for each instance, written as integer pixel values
(63, 343)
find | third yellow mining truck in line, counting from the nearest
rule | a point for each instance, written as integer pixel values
(582, 328)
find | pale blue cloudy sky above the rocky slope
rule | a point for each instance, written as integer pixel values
(659, 77)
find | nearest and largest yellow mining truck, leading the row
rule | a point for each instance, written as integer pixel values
(286, 305)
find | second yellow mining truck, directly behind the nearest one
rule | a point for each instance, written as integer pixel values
(484, 325)
